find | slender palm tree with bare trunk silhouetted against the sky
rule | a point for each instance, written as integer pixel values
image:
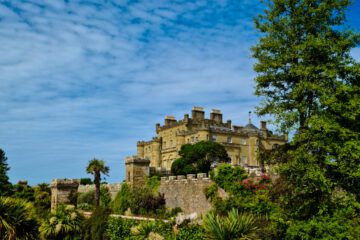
(96, 167)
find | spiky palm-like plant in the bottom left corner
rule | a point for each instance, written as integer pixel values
(17, 219)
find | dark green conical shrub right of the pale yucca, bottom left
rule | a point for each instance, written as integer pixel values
(95, 227)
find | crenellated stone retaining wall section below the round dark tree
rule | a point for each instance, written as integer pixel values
(186, 192)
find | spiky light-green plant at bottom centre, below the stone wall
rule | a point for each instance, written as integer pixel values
(234, 226)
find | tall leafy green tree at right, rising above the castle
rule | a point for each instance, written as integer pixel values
(310, 84)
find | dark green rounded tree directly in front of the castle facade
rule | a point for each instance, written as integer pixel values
(199, 157)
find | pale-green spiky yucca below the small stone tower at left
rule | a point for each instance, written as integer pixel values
(65, 223)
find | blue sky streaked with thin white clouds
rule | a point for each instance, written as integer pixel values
(85, 79)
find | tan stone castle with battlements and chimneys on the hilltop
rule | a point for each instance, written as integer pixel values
(241, 142)
